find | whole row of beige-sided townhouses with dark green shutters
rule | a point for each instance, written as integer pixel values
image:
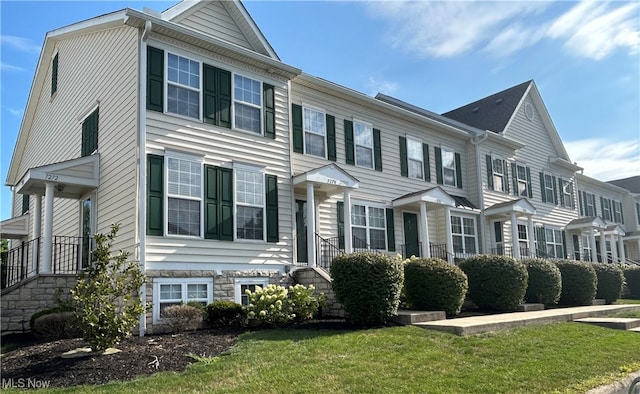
(228, 169)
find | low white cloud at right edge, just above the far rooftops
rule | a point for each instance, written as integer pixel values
(604, 159)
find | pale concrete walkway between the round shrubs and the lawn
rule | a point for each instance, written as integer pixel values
(487, 323)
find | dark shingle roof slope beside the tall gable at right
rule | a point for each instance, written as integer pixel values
(492, 112)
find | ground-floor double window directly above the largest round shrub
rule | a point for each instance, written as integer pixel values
(368, 227)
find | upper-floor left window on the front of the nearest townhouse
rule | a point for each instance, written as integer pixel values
(183, 86)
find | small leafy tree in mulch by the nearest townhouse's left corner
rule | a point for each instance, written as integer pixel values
(106, 295)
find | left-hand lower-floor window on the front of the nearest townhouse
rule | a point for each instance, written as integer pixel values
(184, 196)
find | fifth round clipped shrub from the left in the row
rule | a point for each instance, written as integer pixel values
(579, 282)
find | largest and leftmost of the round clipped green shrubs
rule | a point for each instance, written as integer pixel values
(368, 285)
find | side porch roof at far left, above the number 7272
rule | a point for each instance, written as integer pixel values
(73, 178)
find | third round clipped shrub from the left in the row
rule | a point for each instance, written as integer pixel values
(495, 282)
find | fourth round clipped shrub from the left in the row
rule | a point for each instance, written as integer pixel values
(545, 282)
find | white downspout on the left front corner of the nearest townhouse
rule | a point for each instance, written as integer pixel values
(142, 165)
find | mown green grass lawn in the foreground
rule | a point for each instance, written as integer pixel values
(564, 357)
